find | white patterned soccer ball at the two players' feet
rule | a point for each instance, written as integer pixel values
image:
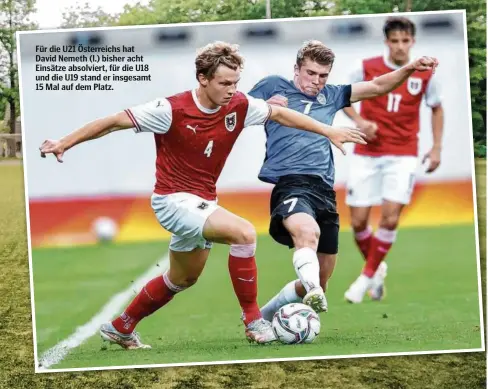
(296, 323)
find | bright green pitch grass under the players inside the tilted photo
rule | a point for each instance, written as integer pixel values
(432, 303)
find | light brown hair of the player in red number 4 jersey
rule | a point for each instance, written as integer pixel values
(218, 53)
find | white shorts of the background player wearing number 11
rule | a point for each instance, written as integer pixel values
(374, 179)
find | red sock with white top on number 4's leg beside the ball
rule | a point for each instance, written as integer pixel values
(243, 273)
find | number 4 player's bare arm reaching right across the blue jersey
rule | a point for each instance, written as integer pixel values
(337, 135)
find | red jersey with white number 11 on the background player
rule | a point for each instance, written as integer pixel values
(397, 114)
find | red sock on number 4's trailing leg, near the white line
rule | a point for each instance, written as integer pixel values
(154, 295)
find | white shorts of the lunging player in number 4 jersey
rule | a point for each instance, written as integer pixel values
(184, 215)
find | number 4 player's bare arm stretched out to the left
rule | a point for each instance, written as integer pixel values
(92, 130)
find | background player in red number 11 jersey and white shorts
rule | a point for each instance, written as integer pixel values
(383, 171)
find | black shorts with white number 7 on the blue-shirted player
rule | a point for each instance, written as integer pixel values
(311, 195)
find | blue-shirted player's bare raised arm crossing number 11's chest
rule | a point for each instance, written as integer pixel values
(390, 81)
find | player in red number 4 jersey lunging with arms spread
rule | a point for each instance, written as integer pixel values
(194, 132)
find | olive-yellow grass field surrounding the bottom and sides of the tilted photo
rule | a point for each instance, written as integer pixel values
(450, 371)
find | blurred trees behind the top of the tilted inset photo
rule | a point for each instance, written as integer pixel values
(14, 16)
